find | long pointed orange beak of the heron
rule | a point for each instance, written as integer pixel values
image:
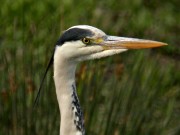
(114, 42)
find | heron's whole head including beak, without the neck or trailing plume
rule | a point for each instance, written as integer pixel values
(84, 42)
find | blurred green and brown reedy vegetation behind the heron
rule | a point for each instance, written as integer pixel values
(134, 93)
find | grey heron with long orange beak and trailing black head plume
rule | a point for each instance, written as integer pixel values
(76, 44)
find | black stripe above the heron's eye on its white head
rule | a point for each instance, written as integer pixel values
(73, 35)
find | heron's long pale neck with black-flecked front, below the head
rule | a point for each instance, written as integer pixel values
(71, 114)
